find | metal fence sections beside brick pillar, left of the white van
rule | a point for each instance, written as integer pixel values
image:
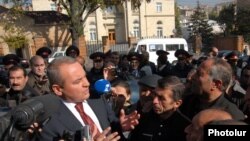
(96, 46)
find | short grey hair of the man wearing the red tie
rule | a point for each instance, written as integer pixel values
(53, 70)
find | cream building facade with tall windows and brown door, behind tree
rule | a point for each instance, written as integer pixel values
(117, 23)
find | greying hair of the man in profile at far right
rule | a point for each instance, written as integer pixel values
(221, 70)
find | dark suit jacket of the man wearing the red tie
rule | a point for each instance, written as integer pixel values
(63, 124)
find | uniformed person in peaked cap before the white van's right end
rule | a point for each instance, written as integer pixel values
(183, 66)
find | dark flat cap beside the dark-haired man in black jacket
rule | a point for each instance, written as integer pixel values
(149, 80)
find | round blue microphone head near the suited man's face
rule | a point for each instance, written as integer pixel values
(102, 86)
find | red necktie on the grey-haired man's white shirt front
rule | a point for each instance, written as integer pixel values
(86, 119)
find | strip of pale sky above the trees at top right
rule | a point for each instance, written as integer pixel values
(193, 3)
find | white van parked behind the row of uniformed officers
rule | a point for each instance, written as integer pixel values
(168, 44)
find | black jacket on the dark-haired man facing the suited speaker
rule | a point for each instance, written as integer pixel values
(153, 128)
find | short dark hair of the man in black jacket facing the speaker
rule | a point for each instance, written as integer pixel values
(175, 84)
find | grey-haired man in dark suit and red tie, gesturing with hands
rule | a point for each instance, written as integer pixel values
(69, 82)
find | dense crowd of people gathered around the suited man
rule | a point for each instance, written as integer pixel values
(176, 100)
